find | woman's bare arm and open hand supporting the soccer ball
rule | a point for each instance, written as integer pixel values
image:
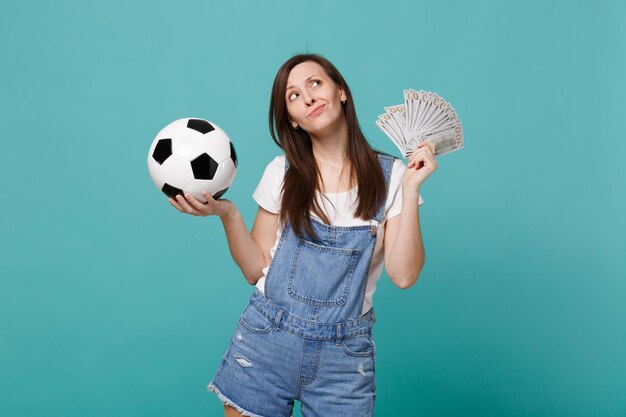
(251, 251)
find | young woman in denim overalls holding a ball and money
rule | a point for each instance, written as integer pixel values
(331, 209)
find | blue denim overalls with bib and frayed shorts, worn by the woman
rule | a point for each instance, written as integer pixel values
(305, 338)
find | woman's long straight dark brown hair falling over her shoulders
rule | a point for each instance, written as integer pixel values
(301, 178)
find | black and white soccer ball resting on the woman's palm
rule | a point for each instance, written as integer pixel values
(190, 156)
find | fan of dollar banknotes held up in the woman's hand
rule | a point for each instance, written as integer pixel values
(423, 116)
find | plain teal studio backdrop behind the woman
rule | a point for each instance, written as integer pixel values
(114, 304)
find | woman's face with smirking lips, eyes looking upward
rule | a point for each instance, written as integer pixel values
(313, 99)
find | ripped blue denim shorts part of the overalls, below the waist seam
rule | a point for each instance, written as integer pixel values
(275, 358)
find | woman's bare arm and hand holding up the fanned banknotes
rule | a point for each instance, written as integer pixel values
(404, 248)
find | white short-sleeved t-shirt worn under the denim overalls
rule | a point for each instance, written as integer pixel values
(269, 192)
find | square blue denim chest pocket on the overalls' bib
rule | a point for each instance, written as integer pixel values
(321, 275)
